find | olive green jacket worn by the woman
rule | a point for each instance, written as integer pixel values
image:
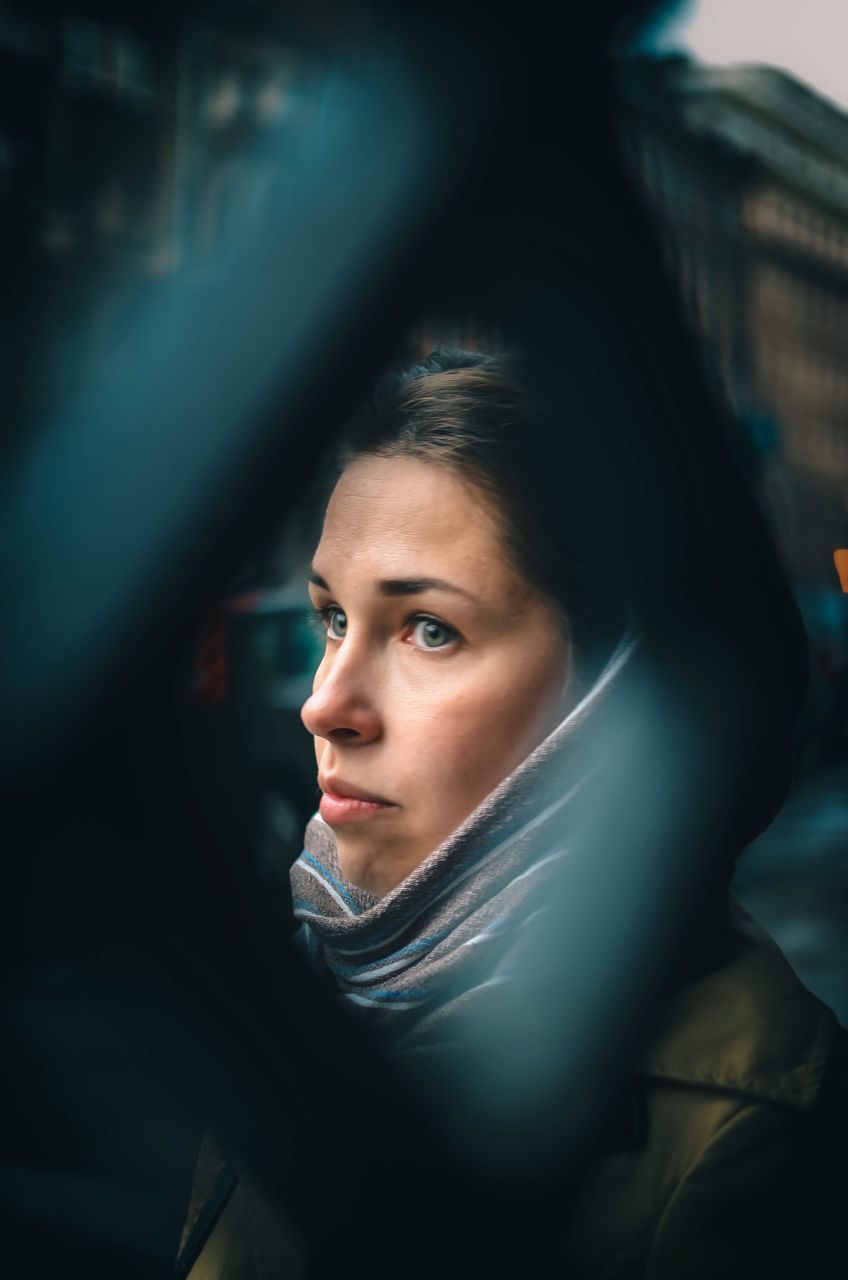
(728, 1165)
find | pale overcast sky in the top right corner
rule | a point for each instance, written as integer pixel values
(808, 38)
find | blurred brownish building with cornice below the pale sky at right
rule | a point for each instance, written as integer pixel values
(747, 170)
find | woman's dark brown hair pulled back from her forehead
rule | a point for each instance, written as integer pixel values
(471, 413)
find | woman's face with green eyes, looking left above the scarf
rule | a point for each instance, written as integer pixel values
(444, 666)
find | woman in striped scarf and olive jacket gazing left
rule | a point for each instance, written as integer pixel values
(471, 659)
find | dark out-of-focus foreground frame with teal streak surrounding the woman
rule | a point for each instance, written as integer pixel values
(167, 400)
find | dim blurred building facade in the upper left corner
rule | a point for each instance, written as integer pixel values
(129, 136)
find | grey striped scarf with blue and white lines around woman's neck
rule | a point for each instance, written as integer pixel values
(427, 954)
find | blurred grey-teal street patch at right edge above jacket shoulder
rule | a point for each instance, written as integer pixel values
(795, 881)
